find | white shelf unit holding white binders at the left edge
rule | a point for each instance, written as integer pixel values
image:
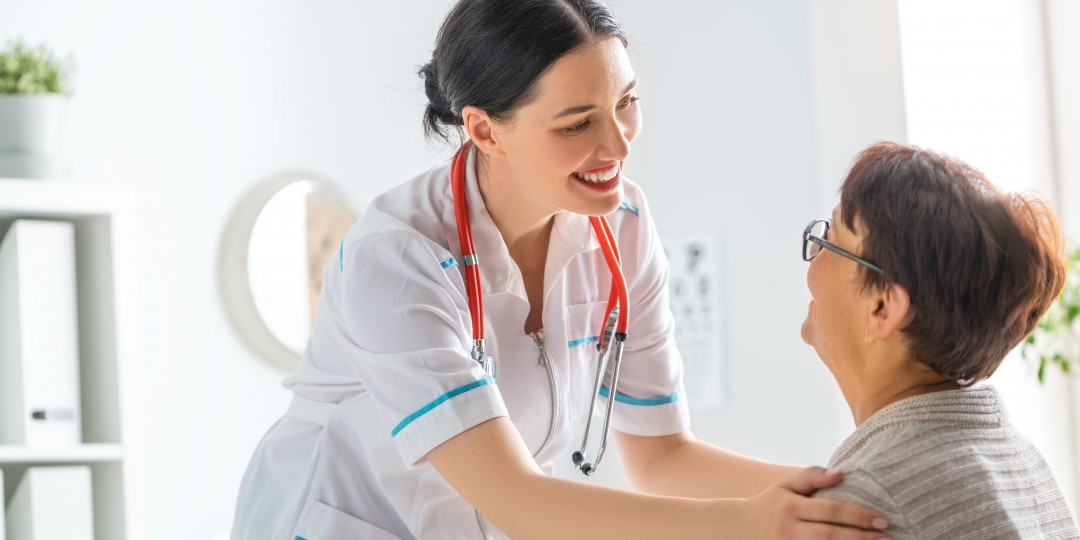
(104, 253)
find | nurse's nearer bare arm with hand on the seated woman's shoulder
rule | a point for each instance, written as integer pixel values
(492, 468)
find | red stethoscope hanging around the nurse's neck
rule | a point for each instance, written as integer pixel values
(613, 329)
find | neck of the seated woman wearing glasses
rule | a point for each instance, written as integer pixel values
(888, 382)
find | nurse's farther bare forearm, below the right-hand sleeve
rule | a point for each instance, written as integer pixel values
(684, 467)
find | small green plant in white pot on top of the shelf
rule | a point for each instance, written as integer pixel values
(35, 90)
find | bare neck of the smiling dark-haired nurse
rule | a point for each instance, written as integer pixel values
(525, 225)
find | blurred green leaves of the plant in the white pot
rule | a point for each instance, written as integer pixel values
(33, 71)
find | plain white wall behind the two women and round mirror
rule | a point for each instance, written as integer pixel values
(751, 118)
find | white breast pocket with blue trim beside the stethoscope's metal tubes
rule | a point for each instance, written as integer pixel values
(583, 330)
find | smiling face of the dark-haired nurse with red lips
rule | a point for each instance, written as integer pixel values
(564, 150)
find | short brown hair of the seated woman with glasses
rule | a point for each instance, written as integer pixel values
(981, 265)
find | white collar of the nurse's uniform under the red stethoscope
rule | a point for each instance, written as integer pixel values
(571, 236)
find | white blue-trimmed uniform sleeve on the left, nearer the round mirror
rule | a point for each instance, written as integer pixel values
(402, 313)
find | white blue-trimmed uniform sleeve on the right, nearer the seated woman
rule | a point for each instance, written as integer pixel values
(651, 398)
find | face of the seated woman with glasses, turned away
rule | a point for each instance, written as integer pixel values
(838, 316)
